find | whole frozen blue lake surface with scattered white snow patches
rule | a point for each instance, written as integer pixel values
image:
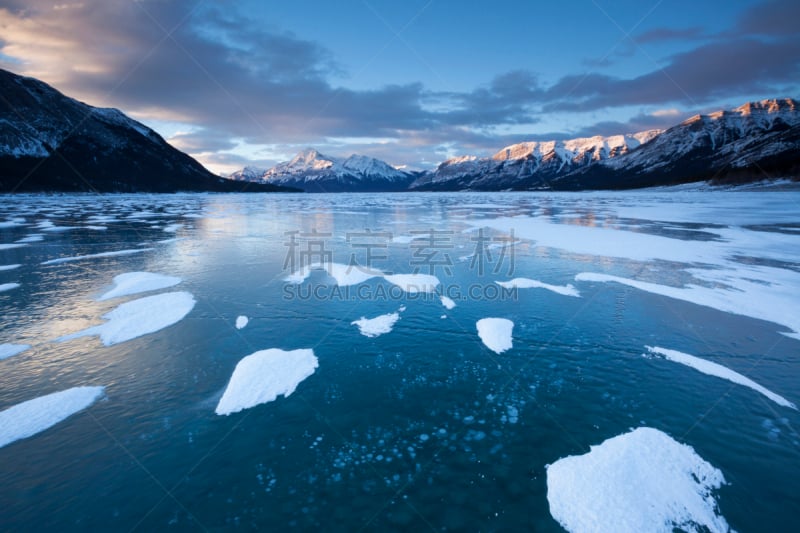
(403, 361)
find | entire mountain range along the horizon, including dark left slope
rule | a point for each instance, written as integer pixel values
(51, 142)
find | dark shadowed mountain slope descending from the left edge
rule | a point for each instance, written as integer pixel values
(50, 142)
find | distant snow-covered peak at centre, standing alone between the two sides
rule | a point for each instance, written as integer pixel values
(312, 171)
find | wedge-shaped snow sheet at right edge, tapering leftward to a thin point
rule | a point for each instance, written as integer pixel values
(776, 299)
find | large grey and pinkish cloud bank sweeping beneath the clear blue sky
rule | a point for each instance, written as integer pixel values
(240, 82)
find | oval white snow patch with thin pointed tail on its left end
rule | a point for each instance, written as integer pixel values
(140, 317)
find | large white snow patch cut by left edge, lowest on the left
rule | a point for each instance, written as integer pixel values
(34, 416)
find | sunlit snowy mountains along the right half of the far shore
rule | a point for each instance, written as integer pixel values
(755, 141)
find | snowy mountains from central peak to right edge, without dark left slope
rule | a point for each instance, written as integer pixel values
(755, 141)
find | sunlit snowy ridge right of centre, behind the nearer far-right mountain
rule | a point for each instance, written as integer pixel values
(547, 160)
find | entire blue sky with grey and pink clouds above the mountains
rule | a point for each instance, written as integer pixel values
(411, 82)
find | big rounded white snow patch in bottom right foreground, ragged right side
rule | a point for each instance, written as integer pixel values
(639, 481)
